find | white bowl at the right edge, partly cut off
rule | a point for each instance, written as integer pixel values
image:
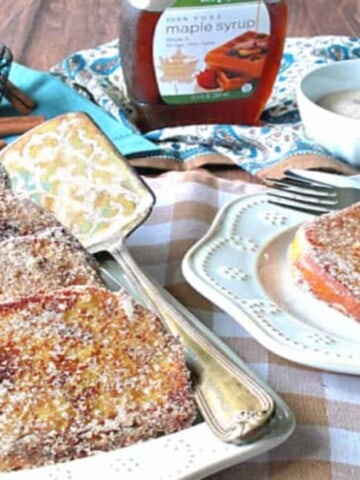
(338, 134)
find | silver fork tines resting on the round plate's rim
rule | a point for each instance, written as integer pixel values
(310, 196)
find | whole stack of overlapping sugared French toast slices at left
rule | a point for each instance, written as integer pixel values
(82, 369)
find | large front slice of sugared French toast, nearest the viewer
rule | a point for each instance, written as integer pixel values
(86, 370)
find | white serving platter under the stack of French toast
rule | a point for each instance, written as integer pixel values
(190, 454)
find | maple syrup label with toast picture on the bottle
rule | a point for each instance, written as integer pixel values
(210, 50)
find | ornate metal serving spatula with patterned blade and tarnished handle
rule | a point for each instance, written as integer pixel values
(94, 192)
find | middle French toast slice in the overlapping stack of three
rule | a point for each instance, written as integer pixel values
(43, 262)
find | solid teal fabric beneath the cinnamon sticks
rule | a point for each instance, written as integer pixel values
(54, 98)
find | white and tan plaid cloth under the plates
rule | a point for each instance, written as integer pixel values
(326, 441)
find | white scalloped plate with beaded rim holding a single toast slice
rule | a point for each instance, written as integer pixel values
(240, 265)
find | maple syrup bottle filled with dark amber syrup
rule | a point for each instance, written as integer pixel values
(190, 62)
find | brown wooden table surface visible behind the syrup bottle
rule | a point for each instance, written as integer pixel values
(42, 33)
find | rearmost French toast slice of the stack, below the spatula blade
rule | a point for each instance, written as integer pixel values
(22, 217)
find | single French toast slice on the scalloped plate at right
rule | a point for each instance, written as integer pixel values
(324, 256)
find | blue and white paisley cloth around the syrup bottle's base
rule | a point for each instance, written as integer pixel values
(98, 73)
